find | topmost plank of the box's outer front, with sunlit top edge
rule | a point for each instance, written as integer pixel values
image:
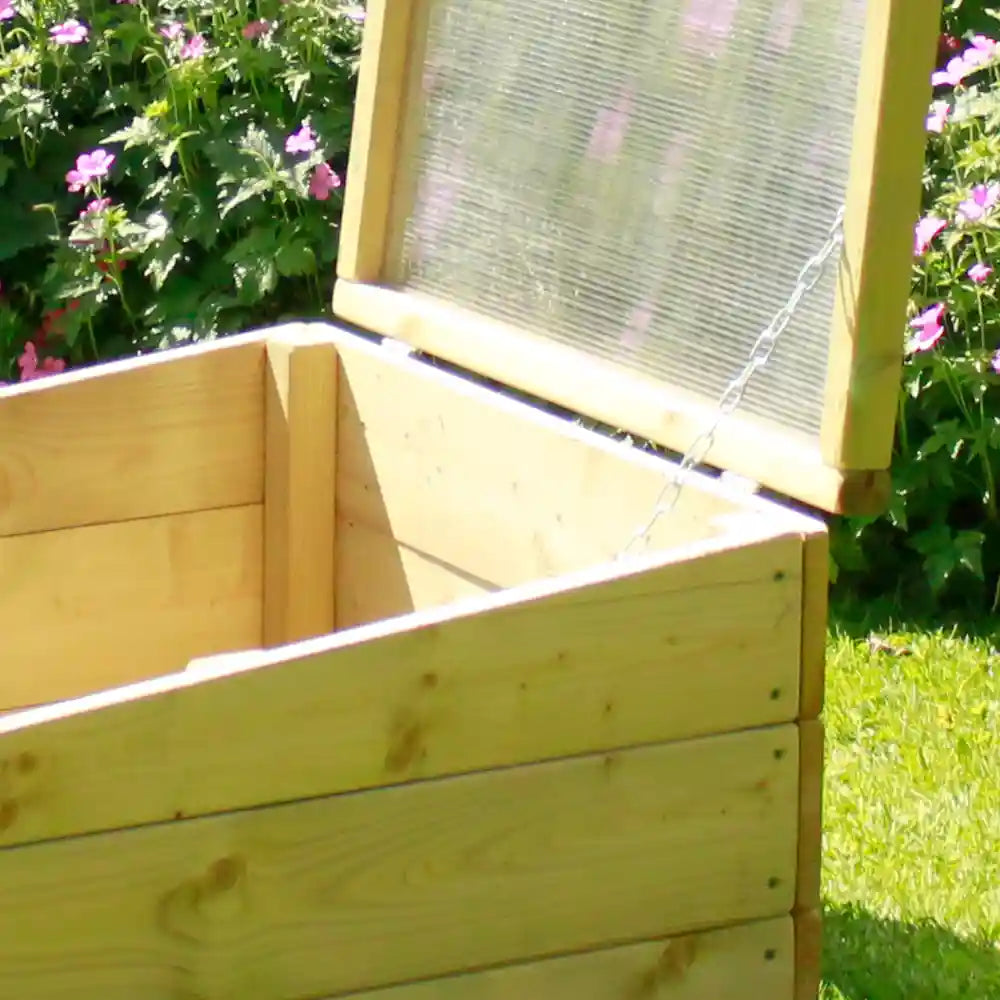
(702, 640)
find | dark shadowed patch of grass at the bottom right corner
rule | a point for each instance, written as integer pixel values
(867, 958)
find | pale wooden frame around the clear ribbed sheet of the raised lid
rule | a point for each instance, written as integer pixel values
(847, 470)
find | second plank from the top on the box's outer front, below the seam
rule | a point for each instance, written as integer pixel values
(419, 880)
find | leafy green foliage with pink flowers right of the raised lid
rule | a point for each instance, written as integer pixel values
(939, 542)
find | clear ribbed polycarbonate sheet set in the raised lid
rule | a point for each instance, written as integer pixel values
(641, 180)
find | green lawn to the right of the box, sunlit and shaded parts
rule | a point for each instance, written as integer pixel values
(912, 820)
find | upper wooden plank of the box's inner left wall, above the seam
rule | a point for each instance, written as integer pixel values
(177, 432)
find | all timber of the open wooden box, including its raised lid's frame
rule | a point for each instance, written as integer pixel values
(332, 672)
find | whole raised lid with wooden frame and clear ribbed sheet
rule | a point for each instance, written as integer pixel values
(604, 203)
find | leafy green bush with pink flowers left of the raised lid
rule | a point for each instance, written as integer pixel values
(203, 222)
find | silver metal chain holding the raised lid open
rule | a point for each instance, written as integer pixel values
(732, 396)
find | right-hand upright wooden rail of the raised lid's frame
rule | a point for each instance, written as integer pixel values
(883, 202)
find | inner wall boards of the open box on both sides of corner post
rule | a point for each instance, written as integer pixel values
(132, 506)
